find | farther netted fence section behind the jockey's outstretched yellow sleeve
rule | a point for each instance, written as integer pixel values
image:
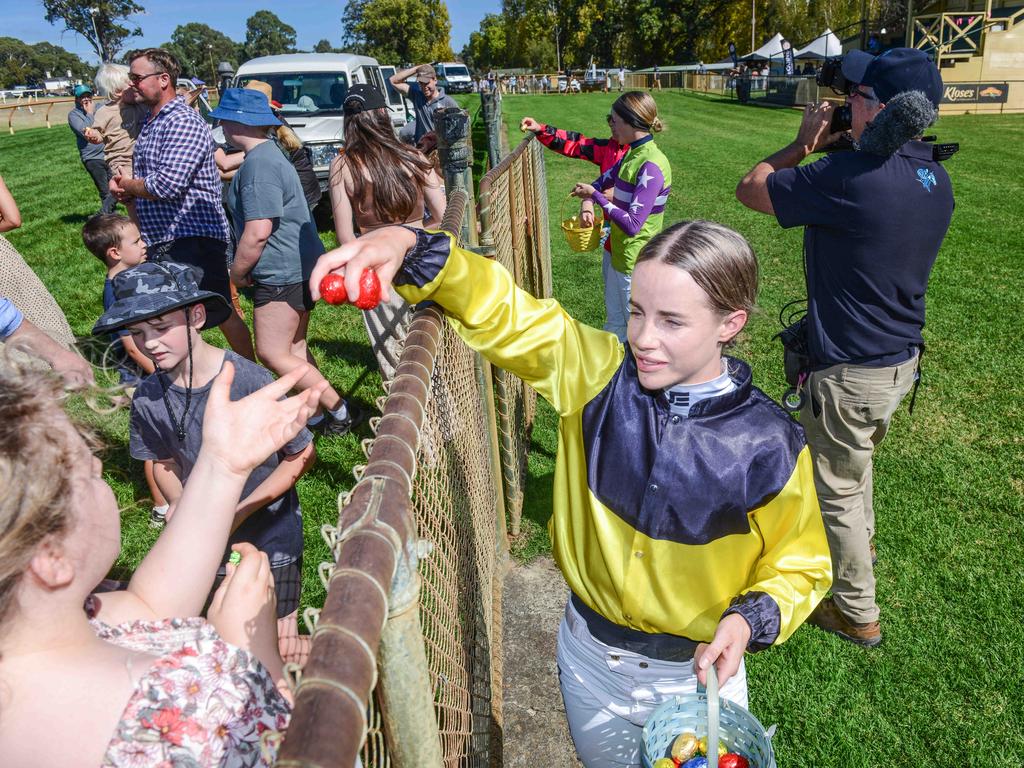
(515, 230)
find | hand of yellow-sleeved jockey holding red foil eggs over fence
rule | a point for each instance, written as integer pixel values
(381, 250)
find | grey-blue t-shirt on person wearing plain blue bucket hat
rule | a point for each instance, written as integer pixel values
(268, 187)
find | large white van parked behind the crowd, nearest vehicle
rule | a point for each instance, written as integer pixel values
(312, 89)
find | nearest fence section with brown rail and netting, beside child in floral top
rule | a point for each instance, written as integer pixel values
(415, 590)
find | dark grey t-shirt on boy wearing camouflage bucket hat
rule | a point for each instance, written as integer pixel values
(277, 529)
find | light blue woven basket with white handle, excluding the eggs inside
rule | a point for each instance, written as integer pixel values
(704, 714)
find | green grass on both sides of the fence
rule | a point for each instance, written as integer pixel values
(945, 688)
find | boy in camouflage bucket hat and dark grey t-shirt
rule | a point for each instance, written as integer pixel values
(164, 310)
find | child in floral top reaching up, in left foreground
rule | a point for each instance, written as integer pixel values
(134, 676)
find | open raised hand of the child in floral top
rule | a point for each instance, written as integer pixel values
(242, 435)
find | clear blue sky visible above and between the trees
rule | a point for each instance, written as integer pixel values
(313, 20)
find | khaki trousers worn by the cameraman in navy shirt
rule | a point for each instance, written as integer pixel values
(846, 417)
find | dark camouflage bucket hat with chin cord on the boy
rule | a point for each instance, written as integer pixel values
(153, 289)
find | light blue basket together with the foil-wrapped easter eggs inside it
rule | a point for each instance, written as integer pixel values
(680, 723)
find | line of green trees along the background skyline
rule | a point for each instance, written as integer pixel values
(540, 35)
